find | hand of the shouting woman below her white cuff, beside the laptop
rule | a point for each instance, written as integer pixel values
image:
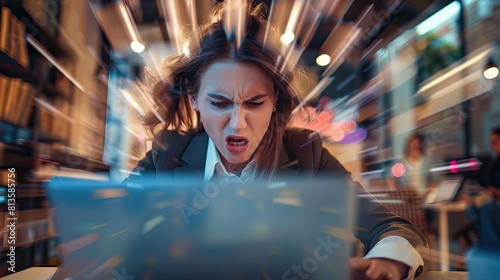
(378, 268)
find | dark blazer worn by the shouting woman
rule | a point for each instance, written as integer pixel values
(303, 155)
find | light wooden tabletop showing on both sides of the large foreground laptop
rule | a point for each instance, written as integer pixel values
(45, 273)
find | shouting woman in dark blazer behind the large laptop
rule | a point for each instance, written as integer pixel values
(226, 113)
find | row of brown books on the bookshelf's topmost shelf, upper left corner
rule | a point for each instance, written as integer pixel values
(13, 37)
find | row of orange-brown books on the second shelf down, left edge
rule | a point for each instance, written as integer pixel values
(16, 100)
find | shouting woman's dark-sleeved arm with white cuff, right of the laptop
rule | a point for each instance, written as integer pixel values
(380, 230)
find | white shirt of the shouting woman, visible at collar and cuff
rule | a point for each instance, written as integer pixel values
(392, 247)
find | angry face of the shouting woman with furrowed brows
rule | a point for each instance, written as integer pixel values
(236, 102)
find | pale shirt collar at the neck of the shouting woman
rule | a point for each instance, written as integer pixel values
(214, 166)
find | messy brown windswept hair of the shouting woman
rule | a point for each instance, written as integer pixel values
(184, 73)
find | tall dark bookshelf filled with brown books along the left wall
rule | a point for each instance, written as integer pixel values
(52, 119)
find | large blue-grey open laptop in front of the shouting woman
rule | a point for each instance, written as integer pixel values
(182, 229)
